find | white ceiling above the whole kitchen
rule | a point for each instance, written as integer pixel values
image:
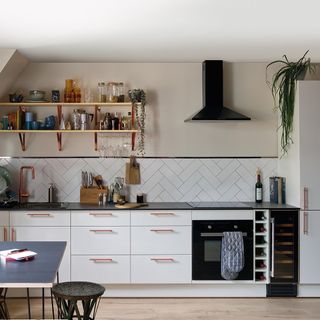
(160, 30)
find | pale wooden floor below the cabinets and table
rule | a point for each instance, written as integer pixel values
(188, 309)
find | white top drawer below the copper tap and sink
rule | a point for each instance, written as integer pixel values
(40, 218)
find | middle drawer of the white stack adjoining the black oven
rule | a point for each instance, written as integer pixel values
(161, 240)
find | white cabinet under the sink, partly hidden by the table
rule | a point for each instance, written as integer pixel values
(44, 226)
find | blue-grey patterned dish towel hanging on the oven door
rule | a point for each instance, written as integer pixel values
(232, 255)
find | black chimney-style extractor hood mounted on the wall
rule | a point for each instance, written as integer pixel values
(212, 95)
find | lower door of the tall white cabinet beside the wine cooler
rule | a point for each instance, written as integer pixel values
(309, 247)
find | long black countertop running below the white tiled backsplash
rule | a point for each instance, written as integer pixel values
(231, 205)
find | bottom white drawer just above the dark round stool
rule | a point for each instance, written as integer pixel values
(101, 269)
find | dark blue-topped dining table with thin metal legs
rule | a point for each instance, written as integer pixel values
(40, 271)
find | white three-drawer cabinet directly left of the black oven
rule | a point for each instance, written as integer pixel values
(161, 246)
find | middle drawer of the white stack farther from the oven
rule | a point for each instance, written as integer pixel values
(100, 240)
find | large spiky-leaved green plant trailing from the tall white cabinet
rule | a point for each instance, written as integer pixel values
(283, 88)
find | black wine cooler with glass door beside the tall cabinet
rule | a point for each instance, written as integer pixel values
(283, 253)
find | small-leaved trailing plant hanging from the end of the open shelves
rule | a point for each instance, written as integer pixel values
(138, 98)
